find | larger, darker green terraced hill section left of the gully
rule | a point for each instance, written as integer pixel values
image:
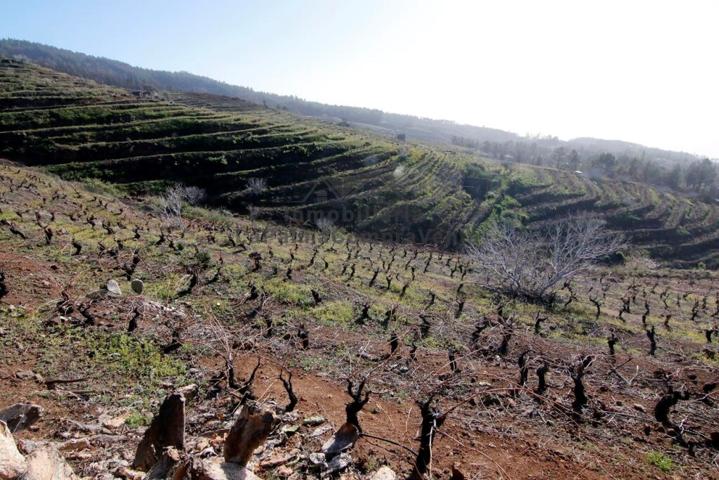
(308, 169)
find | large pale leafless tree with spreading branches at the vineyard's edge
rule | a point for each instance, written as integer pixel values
(530, 264)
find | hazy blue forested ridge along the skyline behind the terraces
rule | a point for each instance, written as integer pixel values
(113, 72)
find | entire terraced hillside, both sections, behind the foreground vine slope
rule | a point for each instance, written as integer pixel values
(277, 166)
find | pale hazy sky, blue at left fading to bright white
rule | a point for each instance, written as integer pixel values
(642, 71)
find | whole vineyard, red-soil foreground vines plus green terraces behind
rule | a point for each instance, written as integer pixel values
(310, 310)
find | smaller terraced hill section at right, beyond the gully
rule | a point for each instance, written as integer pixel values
(668, 226)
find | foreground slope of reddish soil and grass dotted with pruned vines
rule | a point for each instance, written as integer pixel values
(293, 300)
